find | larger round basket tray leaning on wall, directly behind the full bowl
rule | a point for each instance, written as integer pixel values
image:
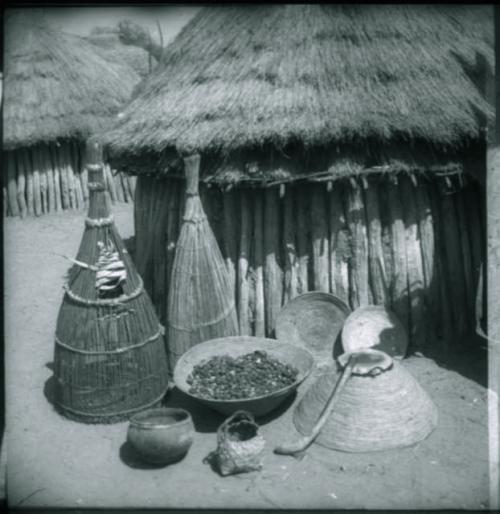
(312, 320)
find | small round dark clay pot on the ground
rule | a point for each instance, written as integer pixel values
(161, 436)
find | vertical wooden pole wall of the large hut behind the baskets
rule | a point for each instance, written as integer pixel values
(409, 245)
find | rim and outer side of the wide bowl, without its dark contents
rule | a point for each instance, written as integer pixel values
(235, 347)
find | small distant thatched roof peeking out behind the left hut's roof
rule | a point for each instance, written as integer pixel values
(112, 49)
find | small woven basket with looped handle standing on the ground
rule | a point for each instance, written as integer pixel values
(240, 446)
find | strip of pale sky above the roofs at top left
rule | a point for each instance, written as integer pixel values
(80, 20)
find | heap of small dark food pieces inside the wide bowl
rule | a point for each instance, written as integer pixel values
(254, 374)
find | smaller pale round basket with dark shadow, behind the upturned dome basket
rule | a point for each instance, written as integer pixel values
(375, 326)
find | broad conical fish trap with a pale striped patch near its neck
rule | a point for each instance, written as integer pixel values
(110, 359)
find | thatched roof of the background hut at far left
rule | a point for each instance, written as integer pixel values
(56, 85)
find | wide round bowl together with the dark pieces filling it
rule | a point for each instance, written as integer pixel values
(248, 373)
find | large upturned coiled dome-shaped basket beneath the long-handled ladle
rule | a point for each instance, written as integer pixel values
(387, 411)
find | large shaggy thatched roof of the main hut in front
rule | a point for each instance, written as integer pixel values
(247, 76)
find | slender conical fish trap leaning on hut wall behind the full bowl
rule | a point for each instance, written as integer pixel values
(201, 302)
